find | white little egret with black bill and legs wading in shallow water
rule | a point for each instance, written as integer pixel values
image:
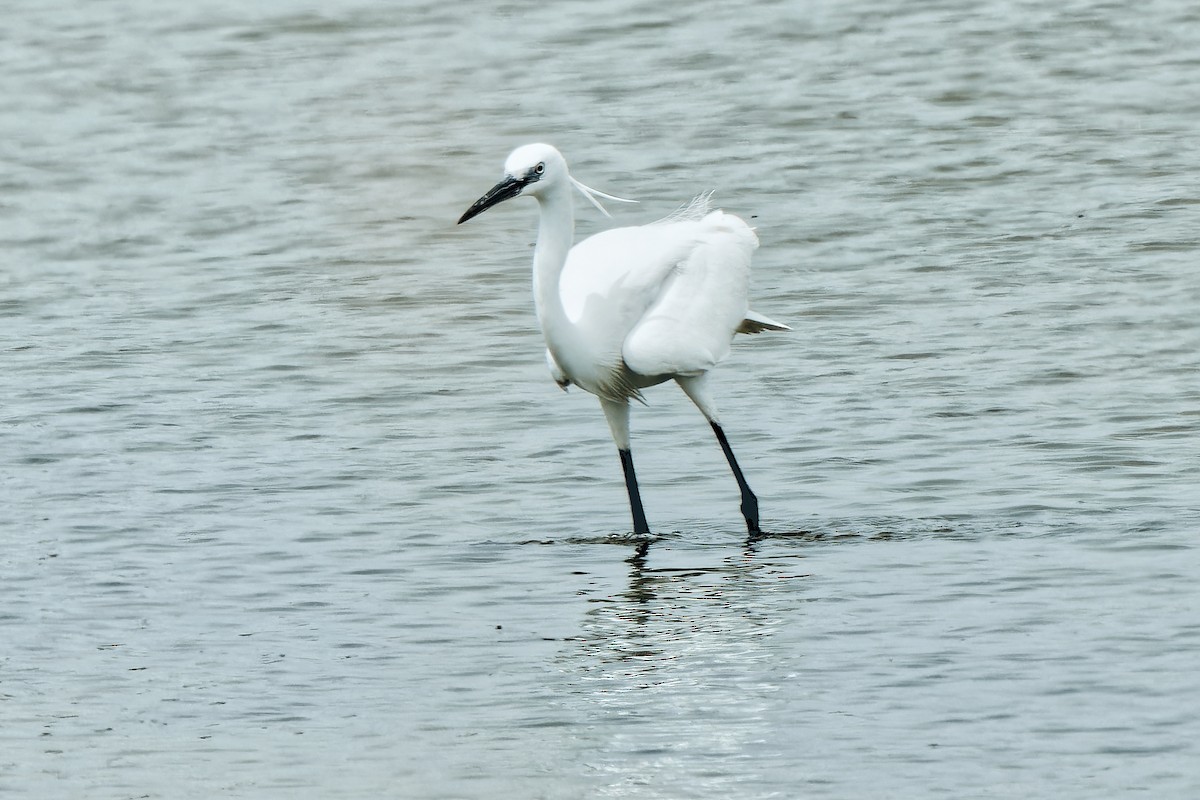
(634, 308)
